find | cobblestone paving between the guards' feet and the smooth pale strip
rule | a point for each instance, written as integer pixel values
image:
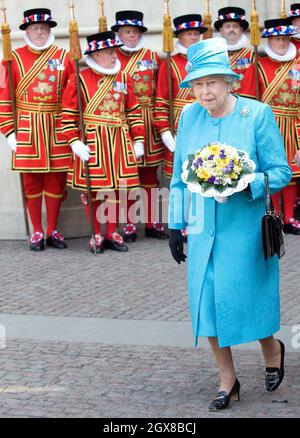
(143, 283)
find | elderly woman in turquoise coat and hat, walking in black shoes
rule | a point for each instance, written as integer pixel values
(233, 290)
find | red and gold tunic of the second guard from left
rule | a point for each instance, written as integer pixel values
(112, 122)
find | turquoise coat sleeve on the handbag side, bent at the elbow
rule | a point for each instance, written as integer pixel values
(270, 155)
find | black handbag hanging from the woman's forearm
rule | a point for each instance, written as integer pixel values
(272, 227)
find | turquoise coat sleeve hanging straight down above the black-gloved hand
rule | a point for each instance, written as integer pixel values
(179, 195)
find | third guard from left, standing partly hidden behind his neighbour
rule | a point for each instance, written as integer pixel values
(142, 66)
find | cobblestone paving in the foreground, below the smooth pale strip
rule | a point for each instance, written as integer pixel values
(87, 380)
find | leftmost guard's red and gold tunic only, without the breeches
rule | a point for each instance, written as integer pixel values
(39, 79)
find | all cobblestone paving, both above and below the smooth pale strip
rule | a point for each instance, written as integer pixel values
(71, 379)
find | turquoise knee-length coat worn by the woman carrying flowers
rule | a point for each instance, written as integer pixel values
(225, 253)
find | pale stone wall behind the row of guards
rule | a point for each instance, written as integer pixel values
(72, 221)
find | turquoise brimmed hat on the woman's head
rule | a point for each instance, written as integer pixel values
(206, 58)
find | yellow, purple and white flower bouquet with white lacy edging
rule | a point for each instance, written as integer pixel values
(218, 170)
